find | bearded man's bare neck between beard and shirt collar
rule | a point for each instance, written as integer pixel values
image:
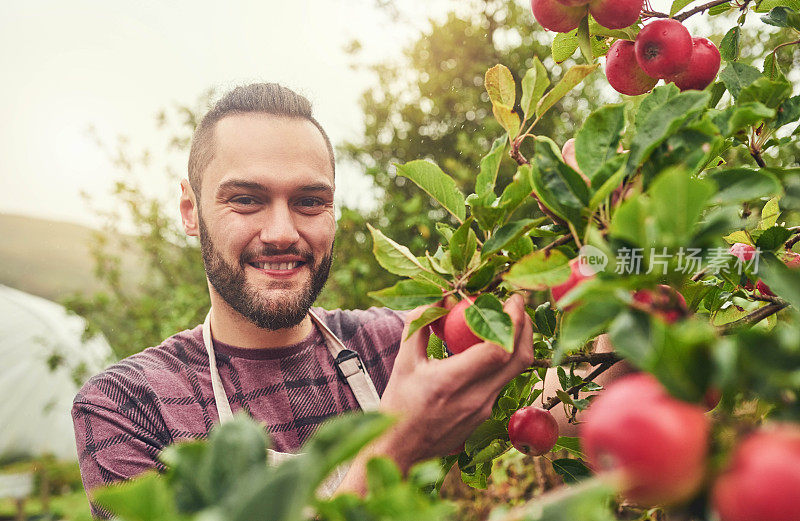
(230, 327)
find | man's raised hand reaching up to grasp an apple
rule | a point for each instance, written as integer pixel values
(439, 403)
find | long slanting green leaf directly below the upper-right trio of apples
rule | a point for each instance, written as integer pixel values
(661, 122)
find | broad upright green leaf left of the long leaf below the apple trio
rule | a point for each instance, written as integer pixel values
(598, 139)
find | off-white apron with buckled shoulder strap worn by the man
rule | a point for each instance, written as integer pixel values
(348, 365)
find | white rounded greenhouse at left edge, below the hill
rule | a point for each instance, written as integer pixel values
(43, 362)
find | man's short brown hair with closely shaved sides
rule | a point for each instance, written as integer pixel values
(263, 98)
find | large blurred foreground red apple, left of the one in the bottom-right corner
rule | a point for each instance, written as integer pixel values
(656, 443)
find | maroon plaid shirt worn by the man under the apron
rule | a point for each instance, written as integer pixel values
(125, 416)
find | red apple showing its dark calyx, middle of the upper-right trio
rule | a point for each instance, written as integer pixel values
(663, 48)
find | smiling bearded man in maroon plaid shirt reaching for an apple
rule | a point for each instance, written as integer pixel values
(259, 195)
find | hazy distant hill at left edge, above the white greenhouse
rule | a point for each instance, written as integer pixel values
(50, 259)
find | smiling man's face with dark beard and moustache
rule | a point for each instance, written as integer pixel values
(266, 218)
